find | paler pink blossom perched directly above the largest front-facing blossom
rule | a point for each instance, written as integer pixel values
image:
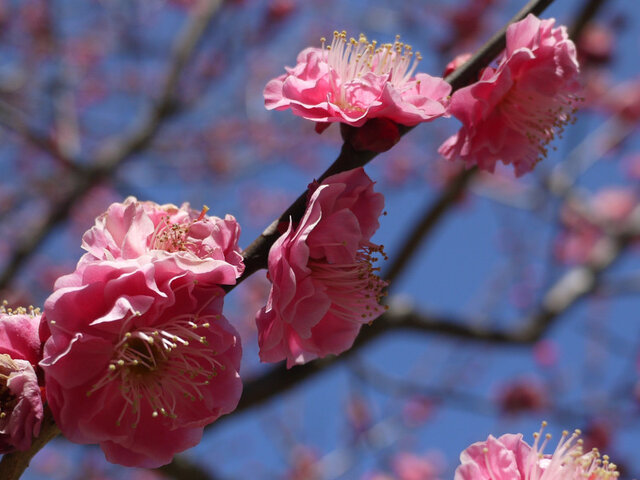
(197, 242)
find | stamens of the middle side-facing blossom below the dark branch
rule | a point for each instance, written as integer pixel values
(355, 288)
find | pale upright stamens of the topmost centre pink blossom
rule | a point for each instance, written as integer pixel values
(352, 58)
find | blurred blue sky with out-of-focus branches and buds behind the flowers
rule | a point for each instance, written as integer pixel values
(519, 305)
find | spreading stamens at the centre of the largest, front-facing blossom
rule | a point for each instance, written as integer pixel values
(162, 366)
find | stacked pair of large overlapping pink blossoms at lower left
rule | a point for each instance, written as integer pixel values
(138, 356)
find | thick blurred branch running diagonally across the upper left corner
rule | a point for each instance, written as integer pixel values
(115, 151)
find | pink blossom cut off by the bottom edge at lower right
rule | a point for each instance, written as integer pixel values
(509, 457)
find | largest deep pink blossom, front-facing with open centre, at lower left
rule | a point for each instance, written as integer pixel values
(139, 358)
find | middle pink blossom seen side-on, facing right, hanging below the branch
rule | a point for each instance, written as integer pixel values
(324, 286)
